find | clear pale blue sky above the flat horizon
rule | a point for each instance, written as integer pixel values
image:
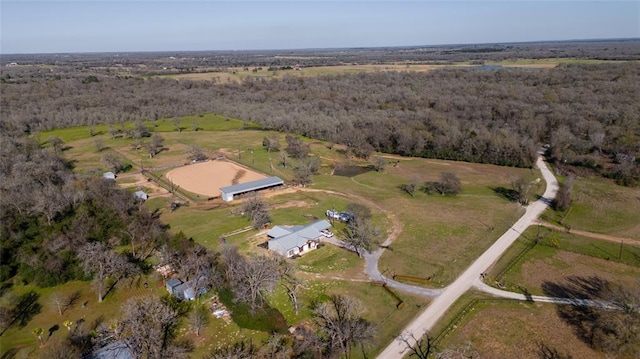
(139, 25)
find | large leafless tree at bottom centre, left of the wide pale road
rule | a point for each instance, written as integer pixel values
(341, 325)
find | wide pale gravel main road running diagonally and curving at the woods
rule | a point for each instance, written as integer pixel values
(428, 318)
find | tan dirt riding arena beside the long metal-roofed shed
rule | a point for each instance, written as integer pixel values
(206, 178)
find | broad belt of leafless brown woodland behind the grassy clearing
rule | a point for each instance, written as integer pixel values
(586, 114)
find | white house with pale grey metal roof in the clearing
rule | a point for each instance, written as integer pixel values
(296, 240)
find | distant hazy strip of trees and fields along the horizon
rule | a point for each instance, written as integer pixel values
(147, 63)
